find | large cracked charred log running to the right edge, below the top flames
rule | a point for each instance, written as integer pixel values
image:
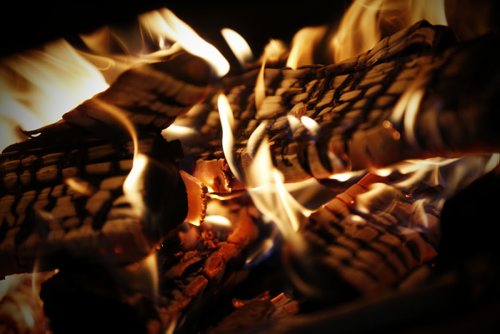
(363, 107)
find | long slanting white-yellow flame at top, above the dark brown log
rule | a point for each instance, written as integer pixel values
(165, 24)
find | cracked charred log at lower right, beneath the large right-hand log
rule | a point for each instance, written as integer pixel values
(350, 251)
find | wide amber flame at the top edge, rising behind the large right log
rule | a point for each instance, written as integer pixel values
(361, 26)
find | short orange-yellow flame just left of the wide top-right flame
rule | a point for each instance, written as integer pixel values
(303, 46)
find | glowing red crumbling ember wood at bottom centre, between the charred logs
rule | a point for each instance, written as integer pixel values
(208, 262)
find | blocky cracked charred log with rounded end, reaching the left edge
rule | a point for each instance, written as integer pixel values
(66, 200)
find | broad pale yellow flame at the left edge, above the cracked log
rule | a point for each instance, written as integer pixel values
(38, 86)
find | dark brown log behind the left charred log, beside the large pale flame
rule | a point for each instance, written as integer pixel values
(151, 96)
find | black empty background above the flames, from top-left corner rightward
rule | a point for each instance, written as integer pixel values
(28, 24)
